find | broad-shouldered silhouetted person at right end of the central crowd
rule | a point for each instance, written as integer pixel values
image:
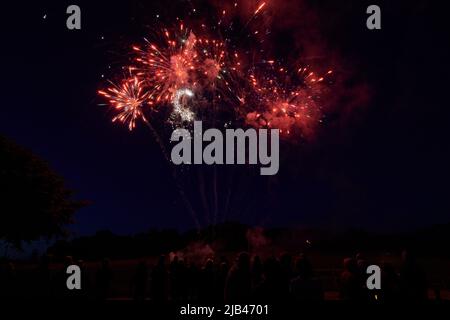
(304, 287)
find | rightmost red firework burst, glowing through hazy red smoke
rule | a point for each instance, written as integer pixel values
(285, 101)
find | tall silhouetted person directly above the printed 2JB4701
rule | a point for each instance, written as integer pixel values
(238, 283)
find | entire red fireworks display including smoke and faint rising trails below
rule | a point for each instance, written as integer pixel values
(216, 70)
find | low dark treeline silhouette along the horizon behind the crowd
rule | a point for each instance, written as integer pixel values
(233, 237)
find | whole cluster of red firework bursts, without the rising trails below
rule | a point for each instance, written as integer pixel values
(230, 87)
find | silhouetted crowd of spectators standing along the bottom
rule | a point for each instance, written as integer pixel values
(247, 279)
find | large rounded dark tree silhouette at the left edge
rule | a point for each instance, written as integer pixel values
(34, 201)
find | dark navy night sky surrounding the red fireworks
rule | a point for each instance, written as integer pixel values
(383, 166)
